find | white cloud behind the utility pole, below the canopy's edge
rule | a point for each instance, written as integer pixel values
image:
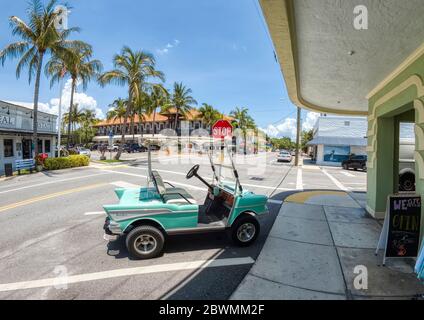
(288, 127)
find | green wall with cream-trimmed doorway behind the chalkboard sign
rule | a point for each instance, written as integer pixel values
(401, 98)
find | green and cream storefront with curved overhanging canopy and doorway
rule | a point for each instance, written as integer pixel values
(358, 58)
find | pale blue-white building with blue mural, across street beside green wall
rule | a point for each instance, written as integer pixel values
(336, 138)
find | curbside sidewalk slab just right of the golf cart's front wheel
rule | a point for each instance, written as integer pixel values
(304, 230)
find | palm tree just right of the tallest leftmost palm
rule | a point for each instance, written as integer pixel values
(77, 64)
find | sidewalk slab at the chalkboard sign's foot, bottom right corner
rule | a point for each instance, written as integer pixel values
(396, 279)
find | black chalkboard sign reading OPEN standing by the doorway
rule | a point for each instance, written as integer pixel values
(400, 236)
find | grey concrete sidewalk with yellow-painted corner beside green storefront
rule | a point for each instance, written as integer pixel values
(313, 248)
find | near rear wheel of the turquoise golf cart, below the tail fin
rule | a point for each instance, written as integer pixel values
(145, 242)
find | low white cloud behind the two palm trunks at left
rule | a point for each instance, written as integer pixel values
(83, 100)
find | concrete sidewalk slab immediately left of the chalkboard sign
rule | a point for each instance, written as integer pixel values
(355, 235)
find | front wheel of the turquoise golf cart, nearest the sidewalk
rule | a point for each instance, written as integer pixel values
(245, 231)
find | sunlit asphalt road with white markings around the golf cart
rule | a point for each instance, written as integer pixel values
(52, 229)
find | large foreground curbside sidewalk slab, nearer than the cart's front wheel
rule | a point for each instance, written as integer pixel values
(313, 267)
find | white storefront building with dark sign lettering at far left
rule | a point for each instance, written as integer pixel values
(16, 123)
